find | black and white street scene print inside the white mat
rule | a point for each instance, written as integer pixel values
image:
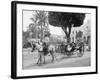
(56, 39)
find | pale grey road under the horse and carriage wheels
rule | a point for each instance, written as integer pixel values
(29, 61)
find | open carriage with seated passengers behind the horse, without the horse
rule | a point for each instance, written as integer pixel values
(73, 48)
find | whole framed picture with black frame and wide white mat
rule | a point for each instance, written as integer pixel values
(54, 39)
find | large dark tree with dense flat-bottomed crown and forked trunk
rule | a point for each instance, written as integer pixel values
(66, 20)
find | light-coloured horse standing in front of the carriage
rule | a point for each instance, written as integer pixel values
(43, 50)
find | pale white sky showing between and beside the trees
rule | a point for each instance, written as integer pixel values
(53, 30)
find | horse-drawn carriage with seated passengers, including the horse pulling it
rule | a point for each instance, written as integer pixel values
(67, 49)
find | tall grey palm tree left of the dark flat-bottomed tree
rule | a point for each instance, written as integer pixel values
(39, 19)
